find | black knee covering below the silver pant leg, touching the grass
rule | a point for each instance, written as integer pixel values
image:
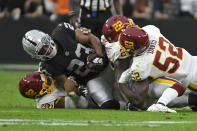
(111, 104)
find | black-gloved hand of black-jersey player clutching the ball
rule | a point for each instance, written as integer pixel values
(95, 62)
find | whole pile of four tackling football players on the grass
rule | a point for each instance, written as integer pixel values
(131, 68)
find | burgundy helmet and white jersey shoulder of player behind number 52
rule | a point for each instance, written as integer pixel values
(111, 30)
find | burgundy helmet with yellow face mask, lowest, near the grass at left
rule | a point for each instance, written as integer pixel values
(36, 84)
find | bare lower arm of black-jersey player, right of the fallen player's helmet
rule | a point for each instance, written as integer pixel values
(70, 85)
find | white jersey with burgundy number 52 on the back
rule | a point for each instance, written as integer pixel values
(162, 59)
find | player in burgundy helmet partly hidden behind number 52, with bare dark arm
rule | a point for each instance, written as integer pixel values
(119, 59)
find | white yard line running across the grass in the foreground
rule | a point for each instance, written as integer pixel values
(59, 122)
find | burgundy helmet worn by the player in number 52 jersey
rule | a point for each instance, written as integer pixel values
(134, 40)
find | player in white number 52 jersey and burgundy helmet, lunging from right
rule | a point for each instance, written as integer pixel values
(154, 56)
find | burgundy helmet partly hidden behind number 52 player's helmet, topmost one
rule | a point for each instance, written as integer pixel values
(114, 26)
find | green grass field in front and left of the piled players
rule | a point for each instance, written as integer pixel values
(20, 114)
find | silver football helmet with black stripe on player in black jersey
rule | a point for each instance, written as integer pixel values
(39, 45)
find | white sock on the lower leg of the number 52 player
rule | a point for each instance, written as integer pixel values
(168, 95)
